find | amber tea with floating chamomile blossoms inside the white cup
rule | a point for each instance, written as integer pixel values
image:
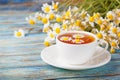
(76, 38)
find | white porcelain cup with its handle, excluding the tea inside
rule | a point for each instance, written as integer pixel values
(80, 53)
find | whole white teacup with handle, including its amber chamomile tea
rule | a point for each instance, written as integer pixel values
(77, 47)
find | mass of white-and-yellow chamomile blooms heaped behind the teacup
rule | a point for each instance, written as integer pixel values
(56, 21)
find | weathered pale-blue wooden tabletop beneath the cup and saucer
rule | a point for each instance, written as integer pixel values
(20, 57)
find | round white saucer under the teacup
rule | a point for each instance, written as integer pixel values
(49, 55)
